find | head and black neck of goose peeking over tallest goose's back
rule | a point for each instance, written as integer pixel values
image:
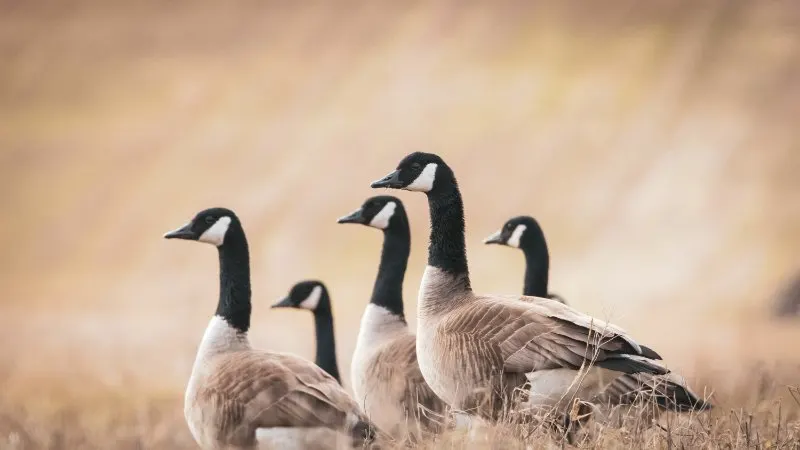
(524, 233)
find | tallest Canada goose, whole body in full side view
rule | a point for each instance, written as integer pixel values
(477, 351)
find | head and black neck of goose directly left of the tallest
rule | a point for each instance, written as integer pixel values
(387, 213)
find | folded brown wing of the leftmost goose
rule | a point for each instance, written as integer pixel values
(265, 389)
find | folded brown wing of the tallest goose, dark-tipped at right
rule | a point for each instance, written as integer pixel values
(536, 333)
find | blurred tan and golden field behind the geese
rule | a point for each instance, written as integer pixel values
(658, 146)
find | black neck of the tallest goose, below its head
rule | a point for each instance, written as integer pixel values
(447, 250)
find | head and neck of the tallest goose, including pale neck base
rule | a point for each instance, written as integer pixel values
(447, 273)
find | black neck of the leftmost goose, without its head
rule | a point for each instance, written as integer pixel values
(234, 280)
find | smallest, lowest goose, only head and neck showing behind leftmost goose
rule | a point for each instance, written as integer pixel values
(313, 296)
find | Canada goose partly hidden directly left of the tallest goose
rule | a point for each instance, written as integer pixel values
(387, 381)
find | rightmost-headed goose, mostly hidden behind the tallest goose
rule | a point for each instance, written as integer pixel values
(667, 391)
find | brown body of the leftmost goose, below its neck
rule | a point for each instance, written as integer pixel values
(233, 393)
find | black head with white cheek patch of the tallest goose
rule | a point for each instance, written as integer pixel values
(420, 172)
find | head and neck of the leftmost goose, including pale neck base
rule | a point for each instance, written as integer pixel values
(221, 228)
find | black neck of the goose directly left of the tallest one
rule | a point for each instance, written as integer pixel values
(388, 289)
